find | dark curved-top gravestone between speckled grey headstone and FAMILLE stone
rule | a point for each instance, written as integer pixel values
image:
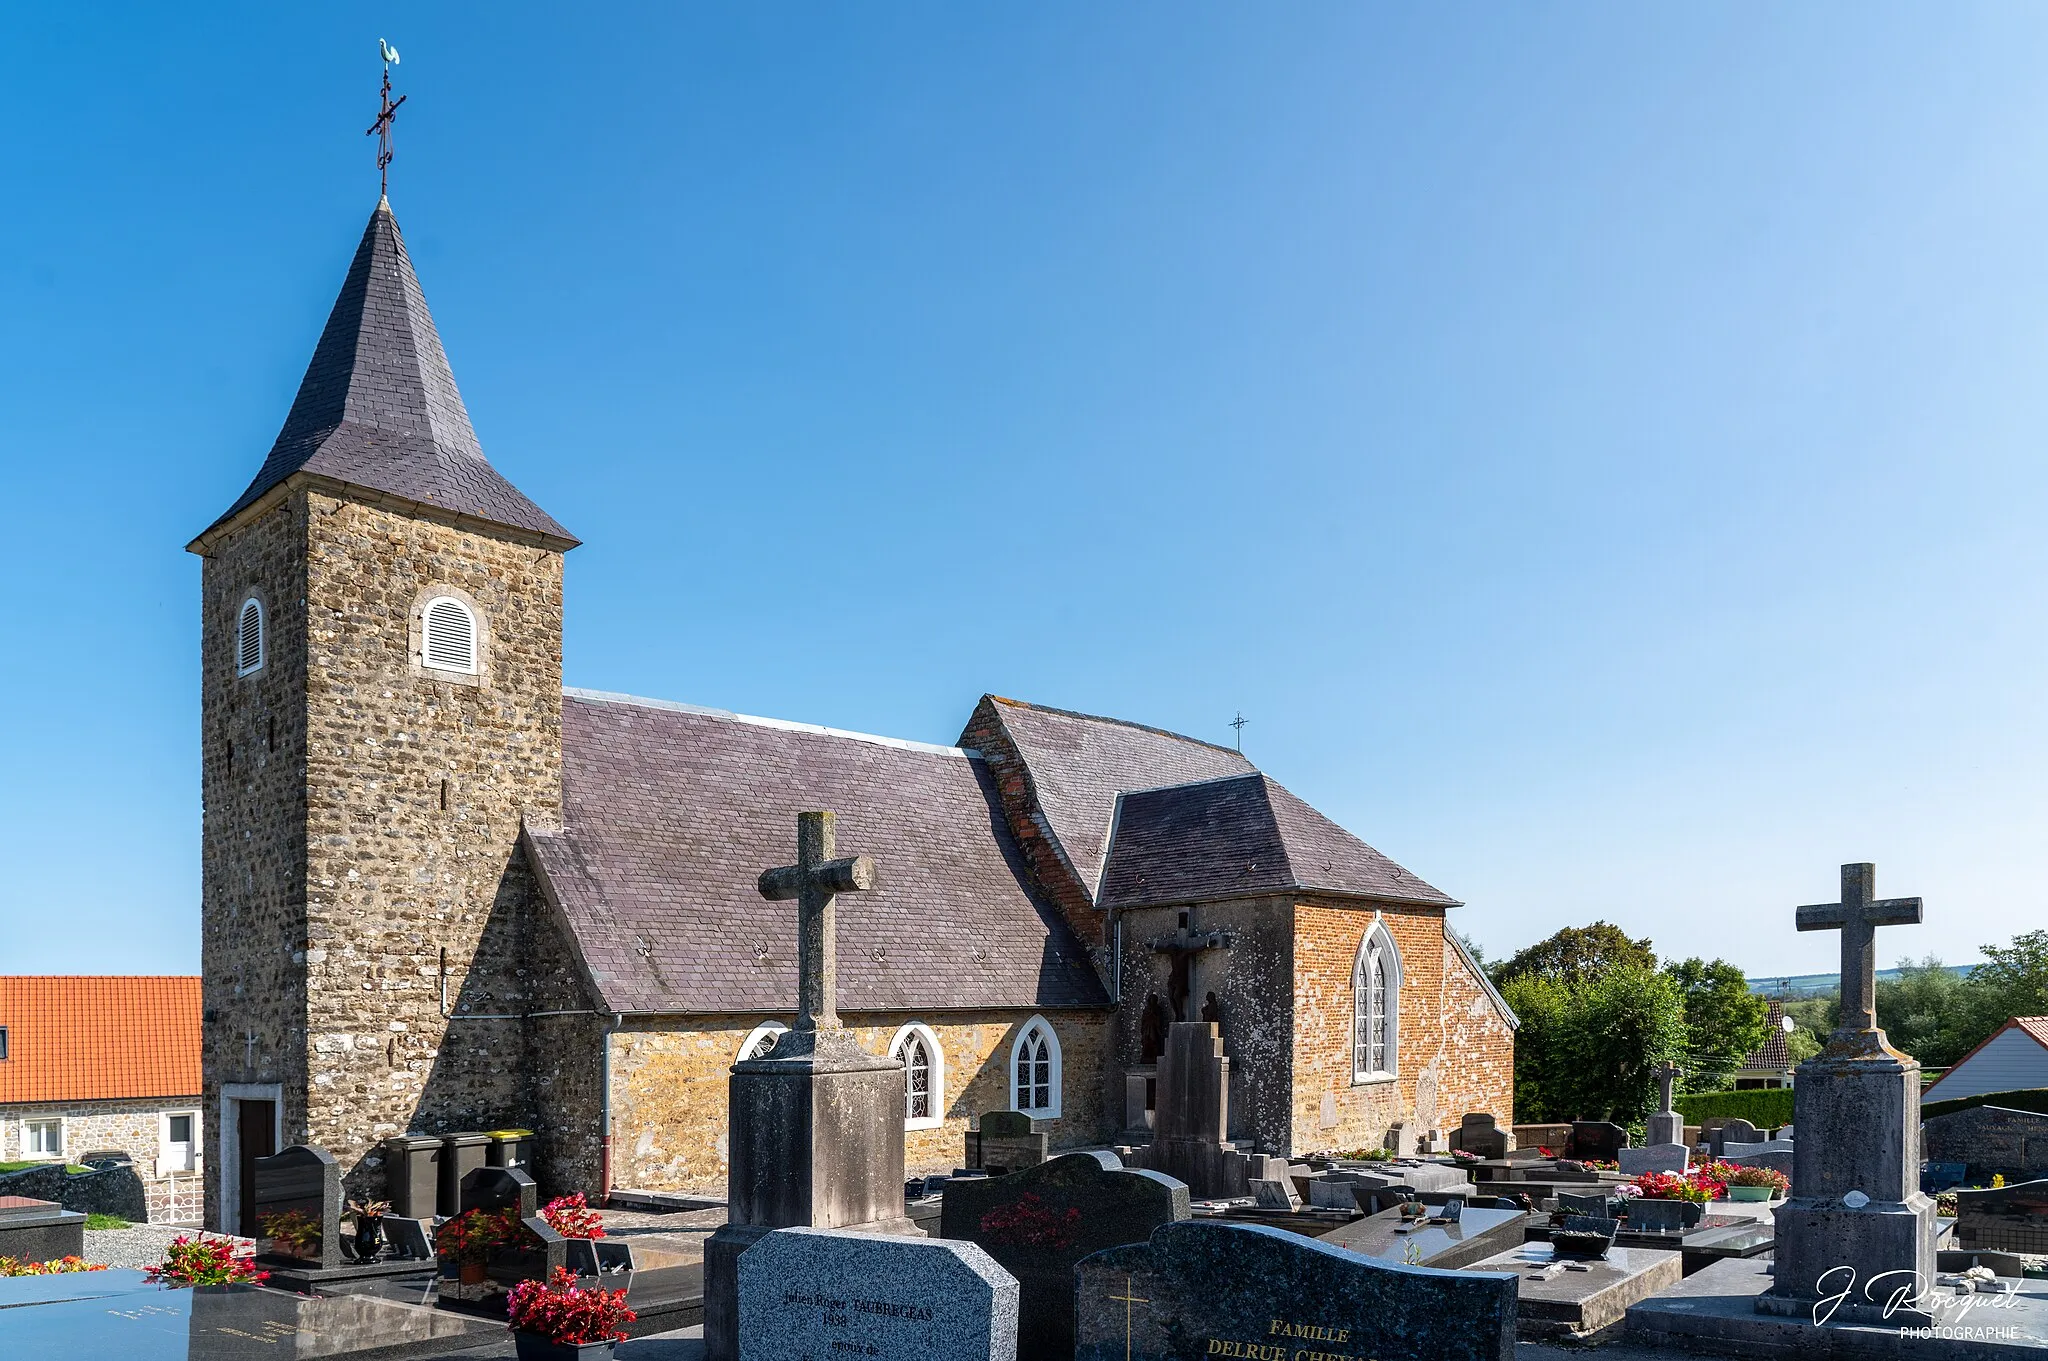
(1041, 1221)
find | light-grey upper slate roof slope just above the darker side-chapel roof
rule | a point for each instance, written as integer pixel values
(1080, 764)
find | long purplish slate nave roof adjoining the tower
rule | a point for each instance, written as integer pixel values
(671, 814)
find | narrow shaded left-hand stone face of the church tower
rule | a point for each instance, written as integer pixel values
(253, 822)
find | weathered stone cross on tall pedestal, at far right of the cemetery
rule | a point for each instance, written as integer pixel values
(1857, 1200)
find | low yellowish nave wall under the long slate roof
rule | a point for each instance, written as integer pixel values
(671, 1088)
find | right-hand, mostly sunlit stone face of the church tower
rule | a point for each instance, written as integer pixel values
(417, 787)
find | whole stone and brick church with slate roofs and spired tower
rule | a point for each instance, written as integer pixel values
(445, 893)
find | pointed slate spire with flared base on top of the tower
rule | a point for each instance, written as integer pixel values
(380, 412)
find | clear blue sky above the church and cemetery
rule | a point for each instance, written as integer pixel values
(1598, 449)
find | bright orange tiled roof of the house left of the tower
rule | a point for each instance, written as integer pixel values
(99, 1037)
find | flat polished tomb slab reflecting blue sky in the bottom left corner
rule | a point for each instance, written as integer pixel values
(124, 1315)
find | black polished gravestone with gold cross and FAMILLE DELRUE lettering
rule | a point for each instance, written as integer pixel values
(1207, 1288)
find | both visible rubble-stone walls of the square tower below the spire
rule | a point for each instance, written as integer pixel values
(404, 838)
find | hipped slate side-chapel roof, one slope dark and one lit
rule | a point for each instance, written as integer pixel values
(1236, 838)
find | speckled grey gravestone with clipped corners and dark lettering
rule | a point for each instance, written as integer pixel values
(822, 1292)
